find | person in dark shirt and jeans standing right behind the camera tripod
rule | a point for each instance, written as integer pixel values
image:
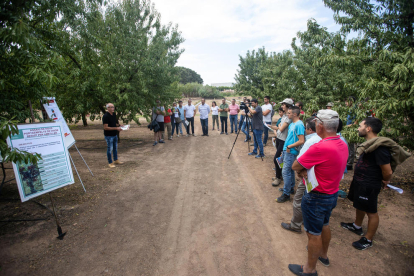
(258, 127)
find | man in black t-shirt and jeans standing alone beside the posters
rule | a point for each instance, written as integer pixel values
(111, 128)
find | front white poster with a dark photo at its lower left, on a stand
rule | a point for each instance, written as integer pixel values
(53, 171)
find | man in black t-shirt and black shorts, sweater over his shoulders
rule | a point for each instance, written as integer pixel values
(372, 172)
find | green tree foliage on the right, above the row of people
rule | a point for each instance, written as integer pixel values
(377, 67)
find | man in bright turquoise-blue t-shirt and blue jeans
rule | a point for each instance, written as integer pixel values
(295, 138)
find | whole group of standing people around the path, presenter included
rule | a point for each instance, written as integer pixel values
(313, 146)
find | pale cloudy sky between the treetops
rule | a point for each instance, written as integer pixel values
(216, 32)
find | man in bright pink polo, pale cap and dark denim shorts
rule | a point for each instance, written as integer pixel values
(328, 157)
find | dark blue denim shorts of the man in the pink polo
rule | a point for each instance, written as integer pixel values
(316, 211)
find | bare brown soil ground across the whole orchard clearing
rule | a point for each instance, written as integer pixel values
(183, 208)
